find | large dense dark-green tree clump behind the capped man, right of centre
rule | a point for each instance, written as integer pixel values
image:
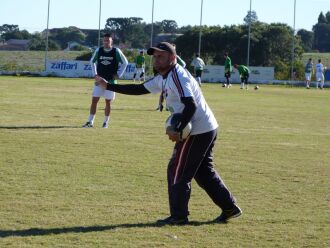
(270, 45)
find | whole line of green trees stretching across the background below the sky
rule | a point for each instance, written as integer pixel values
(270, 44)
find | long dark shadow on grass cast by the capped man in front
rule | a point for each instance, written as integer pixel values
(84, 229)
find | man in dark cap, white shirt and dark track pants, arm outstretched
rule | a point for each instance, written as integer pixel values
(192, 157)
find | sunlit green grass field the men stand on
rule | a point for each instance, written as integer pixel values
(65, 186)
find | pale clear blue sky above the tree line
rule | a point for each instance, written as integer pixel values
(32, 15)
